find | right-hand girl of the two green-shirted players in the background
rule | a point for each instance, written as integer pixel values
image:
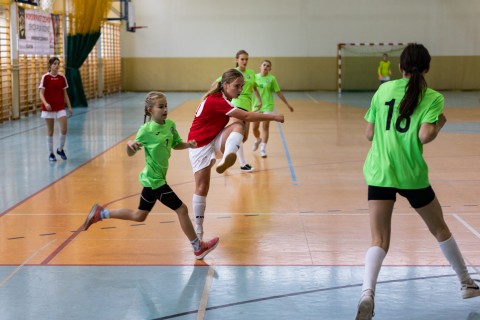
(267, 85)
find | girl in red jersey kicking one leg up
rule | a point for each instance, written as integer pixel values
(214, 138)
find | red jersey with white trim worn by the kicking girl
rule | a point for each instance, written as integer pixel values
(211, 117)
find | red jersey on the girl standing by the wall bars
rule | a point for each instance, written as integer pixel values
(53, 94)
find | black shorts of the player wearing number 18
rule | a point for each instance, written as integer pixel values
(416, 197)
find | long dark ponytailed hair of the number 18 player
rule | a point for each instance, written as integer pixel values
(414, 61)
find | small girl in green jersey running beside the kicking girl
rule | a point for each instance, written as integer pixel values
(157, 136)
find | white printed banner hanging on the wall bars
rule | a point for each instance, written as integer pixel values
(35, 32)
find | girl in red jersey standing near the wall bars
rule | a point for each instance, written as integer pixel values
(53, 93)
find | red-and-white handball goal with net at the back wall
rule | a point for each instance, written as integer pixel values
(358, 64)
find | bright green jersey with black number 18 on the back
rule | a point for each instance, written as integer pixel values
(396, 158)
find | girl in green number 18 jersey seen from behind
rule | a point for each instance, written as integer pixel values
(403, 116)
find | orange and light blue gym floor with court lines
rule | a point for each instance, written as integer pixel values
(293, 233)
